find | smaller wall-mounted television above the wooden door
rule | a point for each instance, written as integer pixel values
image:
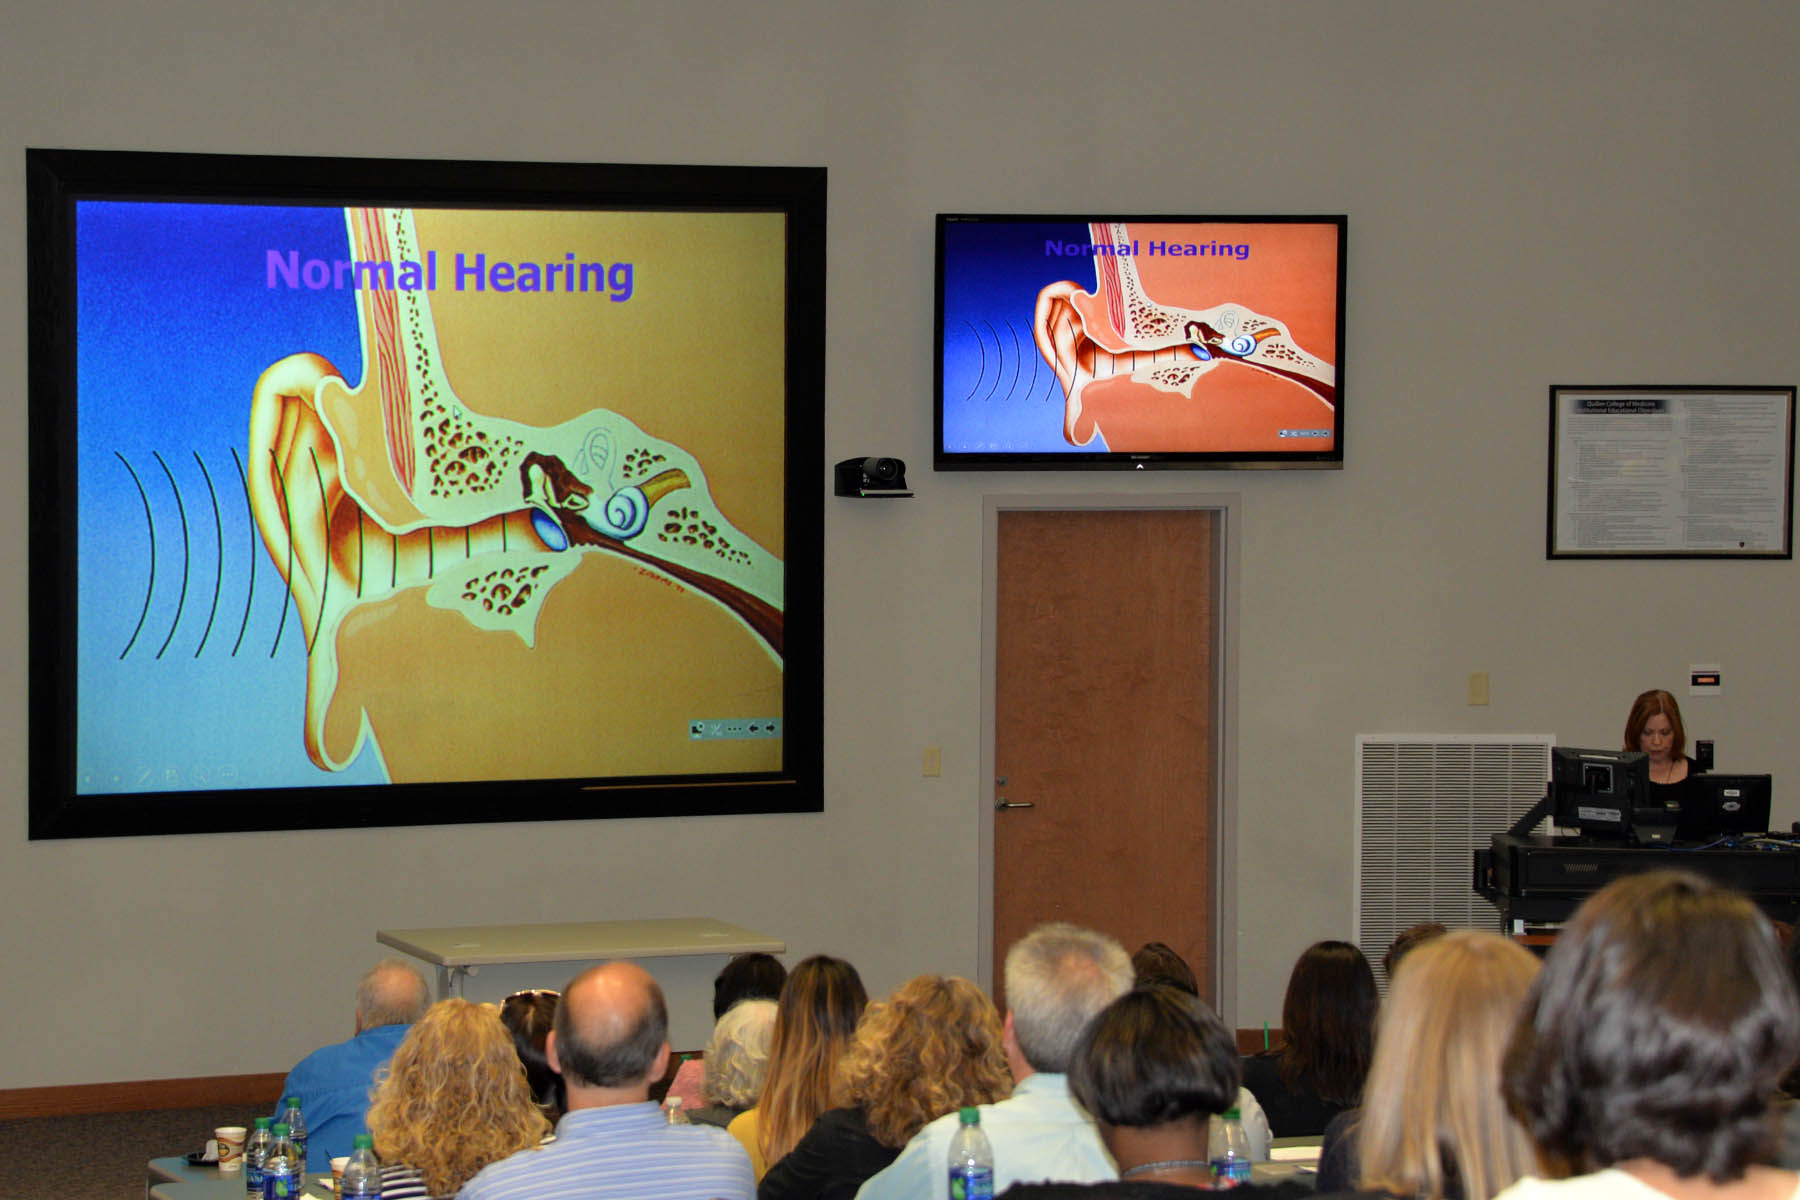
(1124, 343)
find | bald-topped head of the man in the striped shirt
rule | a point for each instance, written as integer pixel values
(611, 1026)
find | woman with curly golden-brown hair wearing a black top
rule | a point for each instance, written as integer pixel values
(931, 1048)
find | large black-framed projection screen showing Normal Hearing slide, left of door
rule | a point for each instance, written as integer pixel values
(411, 492)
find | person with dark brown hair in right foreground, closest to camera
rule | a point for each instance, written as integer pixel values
(1650, 1046)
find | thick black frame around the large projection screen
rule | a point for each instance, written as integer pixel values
(57, 179)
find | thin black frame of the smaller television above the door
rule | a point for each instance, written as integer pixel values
(1135, 461)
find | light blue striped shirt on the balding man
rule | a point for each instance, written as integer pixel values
(622, 1152)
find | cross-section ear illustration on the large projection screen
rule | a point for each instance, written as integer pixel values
(395, 485)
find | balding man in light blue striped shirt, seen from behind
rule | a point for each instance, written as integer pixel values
(611, 1044)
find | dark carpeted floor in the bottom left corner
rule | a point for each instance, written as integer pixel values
(102, 1158)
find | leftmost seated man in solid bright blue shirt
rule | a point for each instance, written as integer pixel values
(334, 1082)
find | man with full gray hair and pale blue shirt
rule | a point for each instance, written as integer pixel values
(1057, 980)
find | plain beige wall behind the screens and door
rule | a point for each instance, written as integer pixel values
(1538, 193)
